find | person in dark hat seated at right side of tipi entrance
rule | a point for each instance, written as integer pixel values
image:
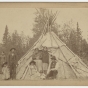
(53, 68)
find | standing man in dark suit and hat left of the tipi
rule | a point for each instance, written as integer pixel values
(12, 61)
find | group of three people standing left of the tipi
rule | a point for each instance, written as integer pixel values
(8, 65)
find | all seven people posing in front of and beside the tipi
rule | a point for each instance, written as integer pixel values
(42, 66)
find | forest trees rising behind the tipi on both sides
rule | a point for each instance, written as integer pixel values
(70, 35)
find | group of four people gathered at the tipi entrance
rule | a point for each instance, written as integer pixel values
(43, 65)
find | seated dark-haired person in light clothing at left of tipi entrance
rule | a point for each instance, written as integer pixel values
(34, 74)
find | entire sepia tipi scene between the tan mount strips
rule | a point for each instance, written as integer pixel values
(43, 44)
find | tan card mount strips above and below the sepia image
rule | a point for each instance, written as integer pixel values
(44, 5)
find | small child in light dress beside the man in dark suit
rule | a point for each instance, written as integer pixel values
(5, 71)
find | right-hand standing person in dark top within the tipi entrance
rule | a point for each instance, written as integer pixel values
(45, 59)
